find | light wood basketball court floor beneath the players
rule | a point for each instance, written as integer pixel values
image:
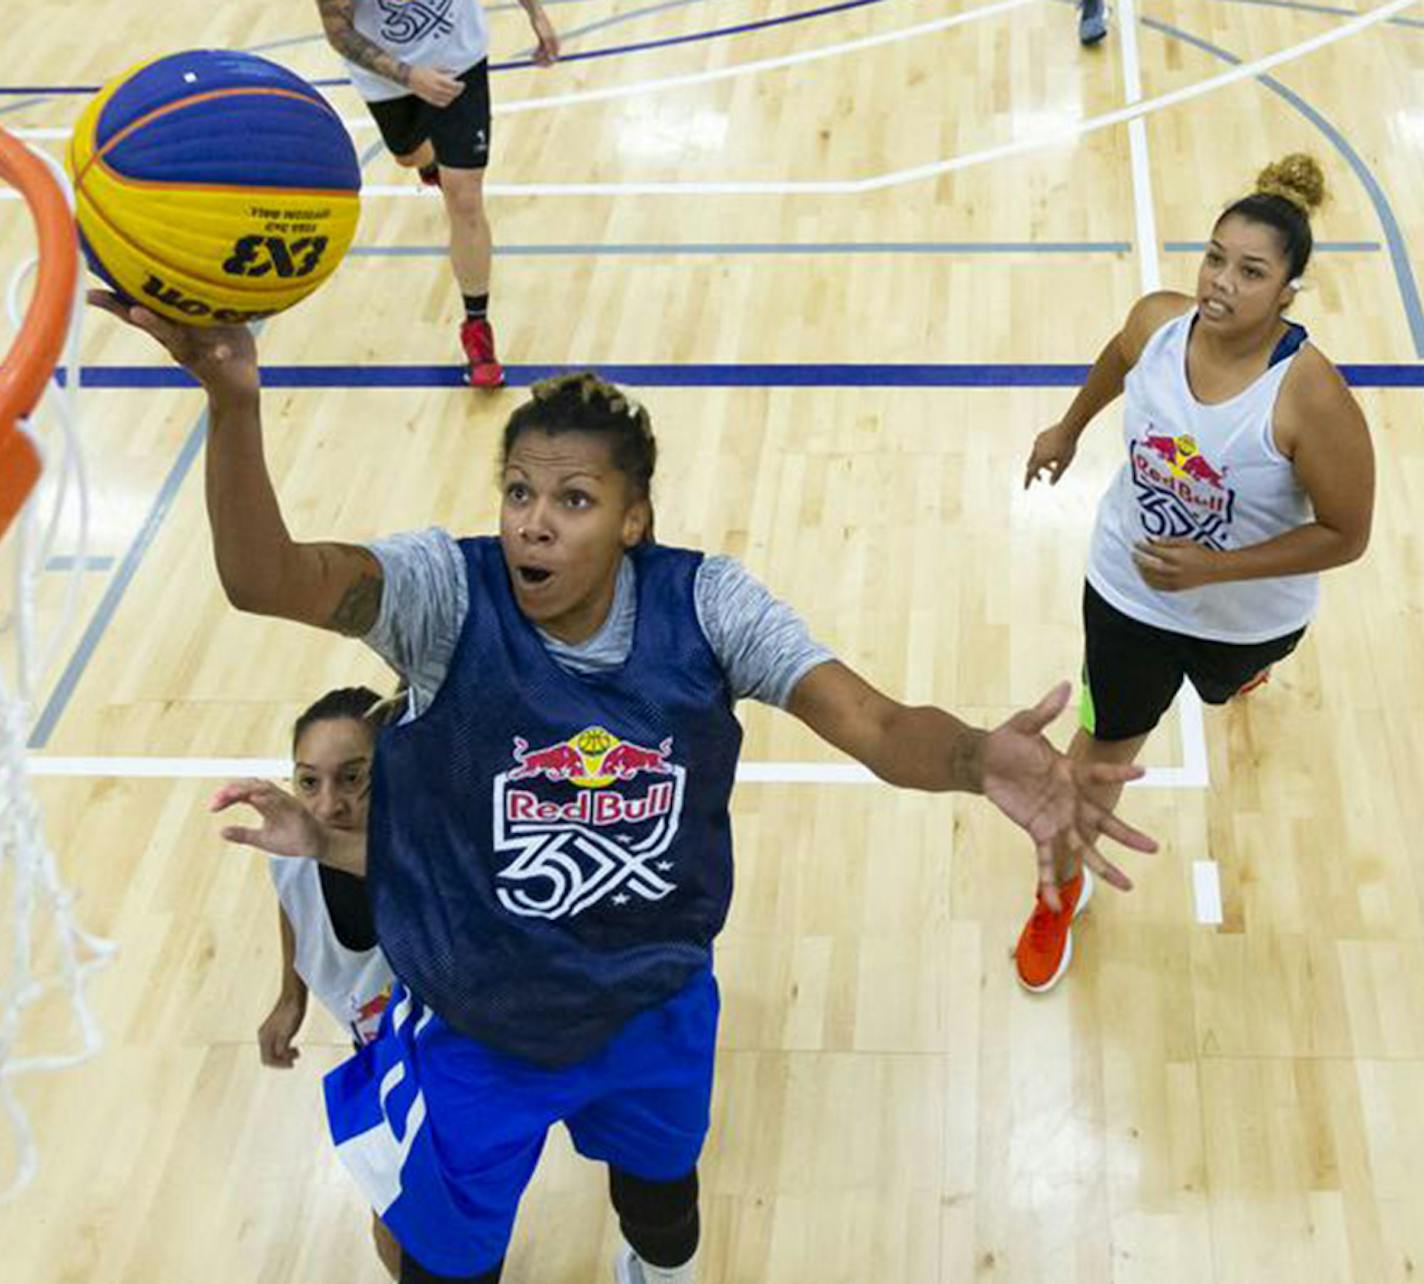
(1237, 1103)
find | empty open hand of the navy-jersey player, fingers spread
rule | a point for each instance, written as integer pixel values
(1049, 795)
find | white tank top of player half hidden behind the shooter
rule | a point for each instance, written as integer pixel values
(352, 984)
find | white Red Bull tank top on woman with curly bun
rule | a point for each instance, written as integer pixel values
(1204, 473)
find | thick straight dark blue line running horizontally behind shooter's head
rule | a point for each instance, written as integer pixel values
(696, 375)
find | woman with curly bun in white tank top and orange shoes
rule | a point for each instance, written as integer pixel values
(1248, 473)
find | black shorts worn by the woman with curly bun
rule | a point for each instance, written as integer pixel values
(1131, 671)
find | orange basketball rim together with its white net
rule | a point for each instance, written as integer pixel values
(42, 916)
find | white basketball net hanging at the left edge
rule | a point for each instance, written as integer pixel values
(49, 952)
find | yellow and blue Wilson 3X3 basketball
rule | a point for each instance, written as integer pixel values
(214, 187)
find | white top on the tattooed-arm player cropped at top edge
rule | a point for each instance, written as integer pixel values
(445, 35)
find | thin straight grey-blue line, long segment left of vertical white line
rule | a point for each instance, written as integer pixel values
(674, 248)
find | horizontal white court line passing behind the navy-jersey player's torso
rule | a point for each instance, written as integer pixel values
(277, 768)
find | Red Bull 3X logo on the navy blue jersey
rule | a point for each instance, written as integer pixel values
(586, 821)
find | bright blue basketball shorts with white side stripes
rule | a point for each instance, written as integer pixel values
(444, 1134)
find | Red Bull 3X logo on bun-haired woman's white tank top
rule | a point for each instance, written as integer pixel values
(1181, 495)
